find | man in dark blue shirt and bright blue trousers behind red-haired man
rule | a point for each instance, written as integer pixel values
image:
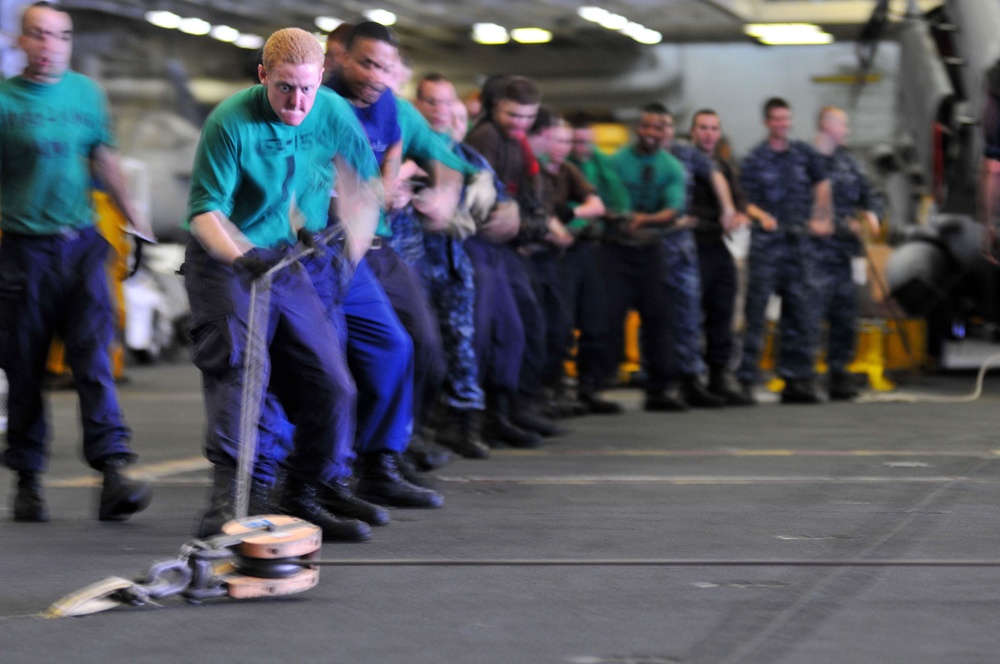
(389, 369)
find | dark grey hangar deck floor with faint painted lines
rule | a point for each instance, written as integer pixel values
(797, 484)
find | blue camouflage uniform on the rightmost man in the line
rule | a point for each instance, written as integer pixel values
(838, 297)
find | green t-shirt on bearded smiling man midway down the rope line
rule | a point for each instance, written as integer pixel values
(654, 182)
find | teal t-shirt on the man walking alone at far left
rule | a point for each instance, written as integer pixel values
(47, 135)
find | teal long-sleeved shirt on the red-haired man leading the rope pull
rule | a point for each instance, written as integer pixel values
(249, 165)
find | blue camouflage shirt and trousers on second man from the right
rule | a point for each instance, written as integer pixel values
(782, 261)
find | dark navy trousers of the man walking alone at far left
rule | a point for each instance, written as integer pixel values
(57, 284)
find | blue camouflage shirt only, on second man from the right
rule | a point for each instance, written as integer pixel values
(781, 183)
